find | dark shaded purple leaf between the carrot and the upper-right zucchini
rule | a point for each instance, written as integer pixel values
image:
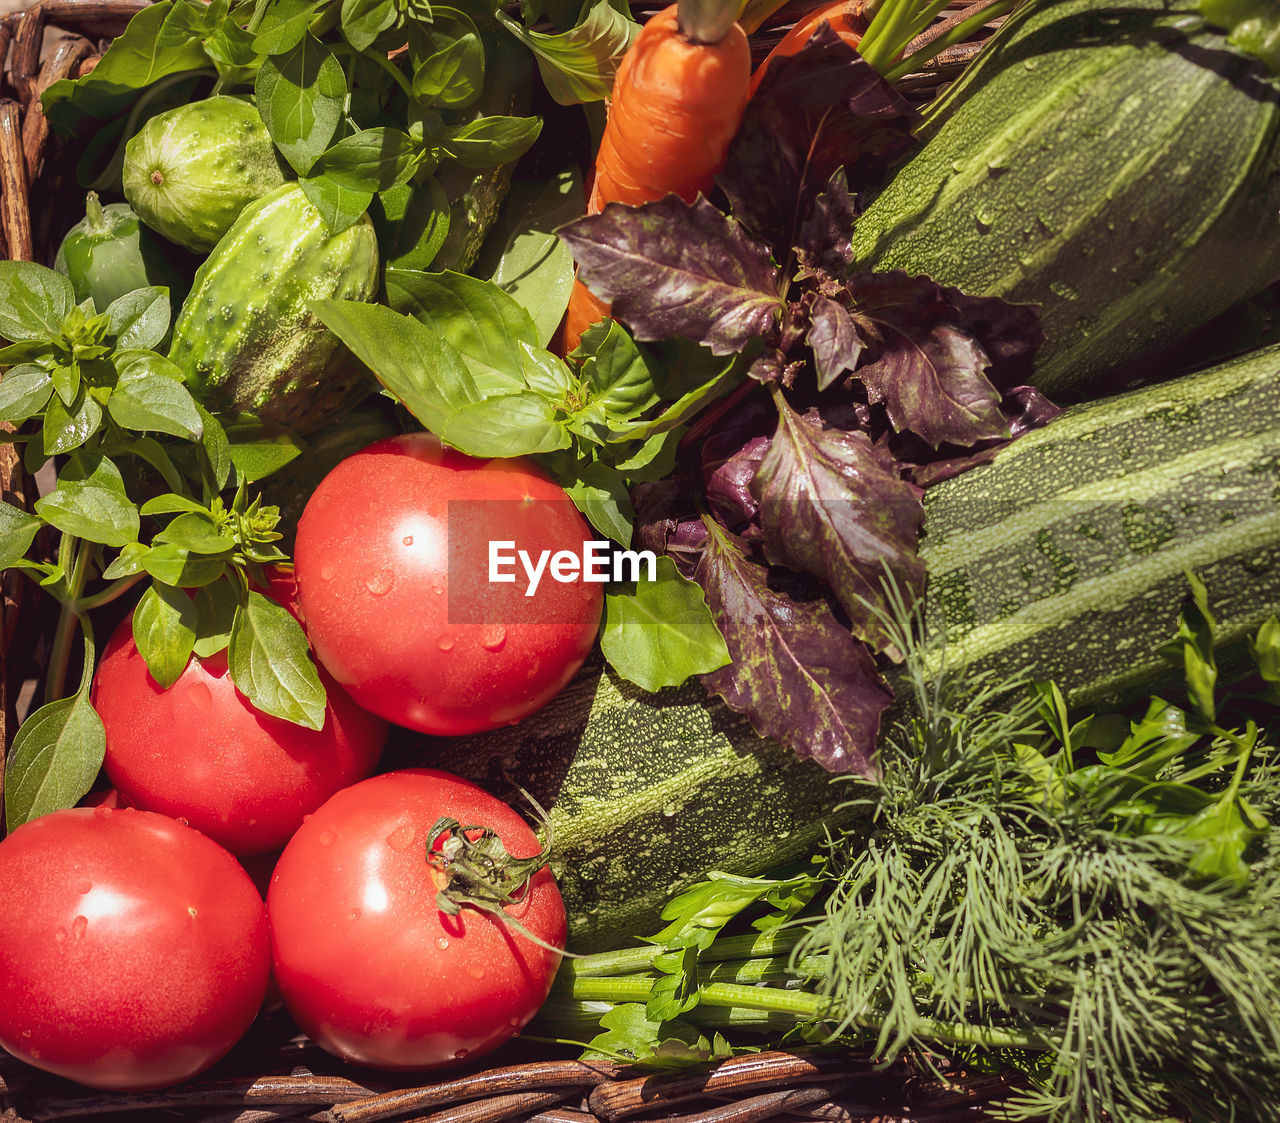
(817, 111)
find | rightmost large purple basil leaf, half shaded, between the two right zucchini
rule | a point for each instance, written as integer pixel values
(925, 366)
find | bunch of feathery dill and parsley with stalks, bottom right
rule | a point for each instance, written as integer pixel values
(1092, 900)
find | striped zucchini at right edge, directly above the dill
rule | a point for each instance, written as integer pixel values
(1067, 556)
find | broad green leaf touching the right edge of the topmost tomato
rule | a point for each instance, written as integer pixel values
(659, 633)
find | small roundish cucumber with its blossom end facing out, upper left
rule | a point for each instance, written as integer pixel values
(191, 171)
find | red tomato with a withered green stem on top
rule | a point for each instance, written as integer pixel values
(367, 964)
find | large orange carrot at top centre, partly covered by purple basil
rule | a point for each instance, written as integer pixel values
(678, 102)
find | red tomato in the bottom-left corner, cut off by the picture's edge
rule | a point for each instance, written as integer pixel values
(134, 951)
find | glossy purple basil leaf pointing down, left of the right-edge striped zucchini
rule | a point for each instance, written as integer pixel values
(835, 506)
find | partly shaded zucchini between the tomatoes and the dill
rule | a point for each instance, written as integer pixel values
(646, 793)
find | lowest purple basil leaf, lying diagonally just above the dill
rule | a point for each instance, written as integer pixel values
(797, 672)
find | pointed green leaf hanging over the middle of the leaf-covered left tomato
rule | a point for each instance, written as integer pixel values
(271, 665)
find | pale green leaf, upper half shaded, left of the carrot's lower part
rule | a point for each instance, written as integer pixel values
(525, 258)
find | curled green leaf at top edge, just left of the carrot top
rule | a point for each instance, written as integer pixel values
(579, 66)
